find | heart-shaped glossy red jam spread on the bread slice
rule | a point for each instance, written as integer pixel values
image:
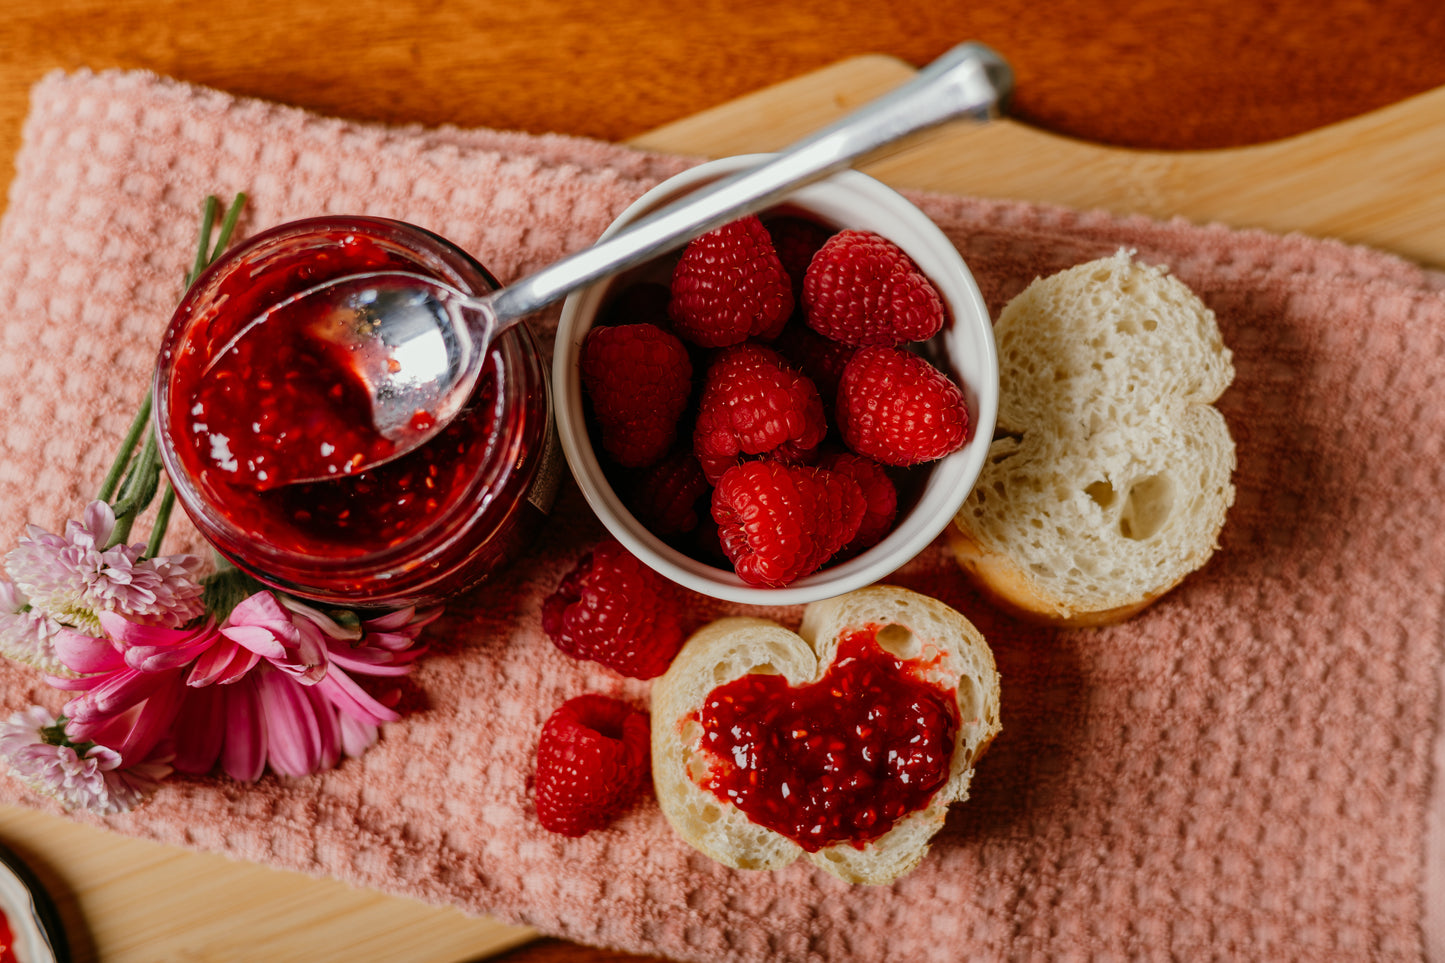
(842, 760)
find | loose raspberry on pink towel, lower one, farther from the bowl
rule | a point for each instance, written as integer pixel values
(593, 760)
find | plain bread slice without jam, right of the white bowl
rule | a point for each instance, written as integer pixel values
(1110, 474)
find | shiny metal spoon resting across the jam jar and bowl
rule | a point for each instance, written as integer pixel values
(420, 345)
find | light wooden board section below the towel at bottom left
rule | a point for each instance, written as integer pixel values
(128, 900)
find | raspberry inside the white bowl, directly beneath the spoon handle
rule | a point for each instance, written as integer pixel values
(730, 287)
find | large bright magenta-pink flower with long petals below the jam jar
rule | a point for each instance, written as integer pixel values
(274, 685)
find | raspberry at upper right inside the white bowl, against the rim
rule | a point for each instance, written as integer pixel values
(863, 290)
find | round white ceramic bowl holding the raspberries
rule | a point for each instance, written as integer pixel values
(965, 349)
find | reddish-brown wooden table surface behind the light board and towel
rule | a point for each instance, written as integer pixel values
(1163, 74)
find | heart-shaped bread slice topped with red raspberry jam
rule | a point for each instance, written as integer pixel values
(846, 741)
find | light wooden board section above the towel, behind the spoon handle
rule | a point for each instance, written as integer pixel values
(1376, 180)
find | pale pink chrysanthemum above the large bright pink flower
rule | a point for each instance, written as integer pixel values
(76, 576)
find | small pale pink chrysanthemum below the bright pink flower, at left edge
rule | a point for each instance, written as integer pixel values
(83, 777)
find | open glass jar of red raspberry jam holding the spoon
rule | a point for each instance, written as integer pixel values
(415, 530)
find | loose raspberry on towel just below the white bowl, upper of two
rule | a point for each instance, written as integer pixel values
(615, 611)
